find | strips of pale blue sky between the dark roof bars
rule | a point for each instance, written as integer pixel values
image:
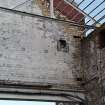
(91, 7)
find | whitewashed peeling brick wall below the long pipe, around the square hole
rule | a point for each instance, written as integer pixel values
(28, 50)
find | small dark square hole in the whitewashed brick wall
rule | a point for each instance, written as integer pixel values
(62, 45)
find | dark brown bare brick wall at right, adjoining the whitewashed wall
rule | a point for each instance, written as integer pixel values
(93, 64)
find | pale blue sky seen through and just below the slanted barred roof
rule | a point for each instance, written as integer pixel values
(98, 7)
